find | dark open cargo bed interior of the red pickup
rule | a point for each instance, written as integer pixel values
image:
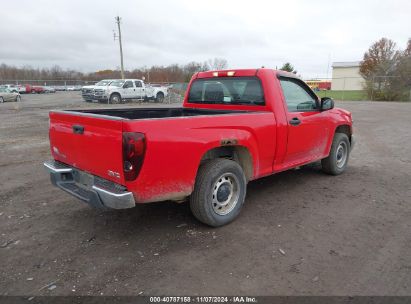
(146, 113)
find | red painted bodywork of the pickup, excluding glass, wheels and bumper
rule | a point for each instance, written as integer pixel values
(176, 145)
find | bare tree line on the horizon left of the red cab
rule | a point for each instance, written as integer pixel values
(169, 73)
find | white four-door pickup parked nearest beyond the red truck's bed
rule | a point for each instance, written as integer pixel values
(123, 89)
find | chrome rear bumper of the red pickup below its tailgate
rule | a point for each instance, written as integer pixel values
(94, 190)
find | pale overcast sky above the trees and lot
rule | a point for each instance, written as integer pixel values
(79, 34)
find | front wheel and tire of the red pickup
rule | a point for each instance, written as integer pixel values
(337, 160)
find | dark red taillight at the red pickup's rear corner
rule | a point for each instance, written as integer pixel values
(134, 147)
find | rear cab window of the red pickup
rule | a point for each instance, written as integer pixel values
(227, 90)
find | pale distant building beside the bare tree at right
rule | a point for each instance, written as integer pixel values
(346, 76)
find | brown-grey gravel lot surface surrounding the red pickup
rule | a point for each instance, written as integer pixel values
(300, 233)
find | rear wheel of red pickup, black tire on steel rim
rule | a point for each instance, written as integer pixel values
(205, 202)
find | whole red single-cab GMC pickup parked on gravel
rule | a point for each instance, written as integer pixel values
(235, 126)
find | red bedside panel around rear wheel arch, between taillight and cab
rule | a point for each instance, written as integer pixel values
(175, 147)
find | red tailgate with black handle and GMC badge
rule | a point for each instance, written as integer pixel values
(88, 142)
